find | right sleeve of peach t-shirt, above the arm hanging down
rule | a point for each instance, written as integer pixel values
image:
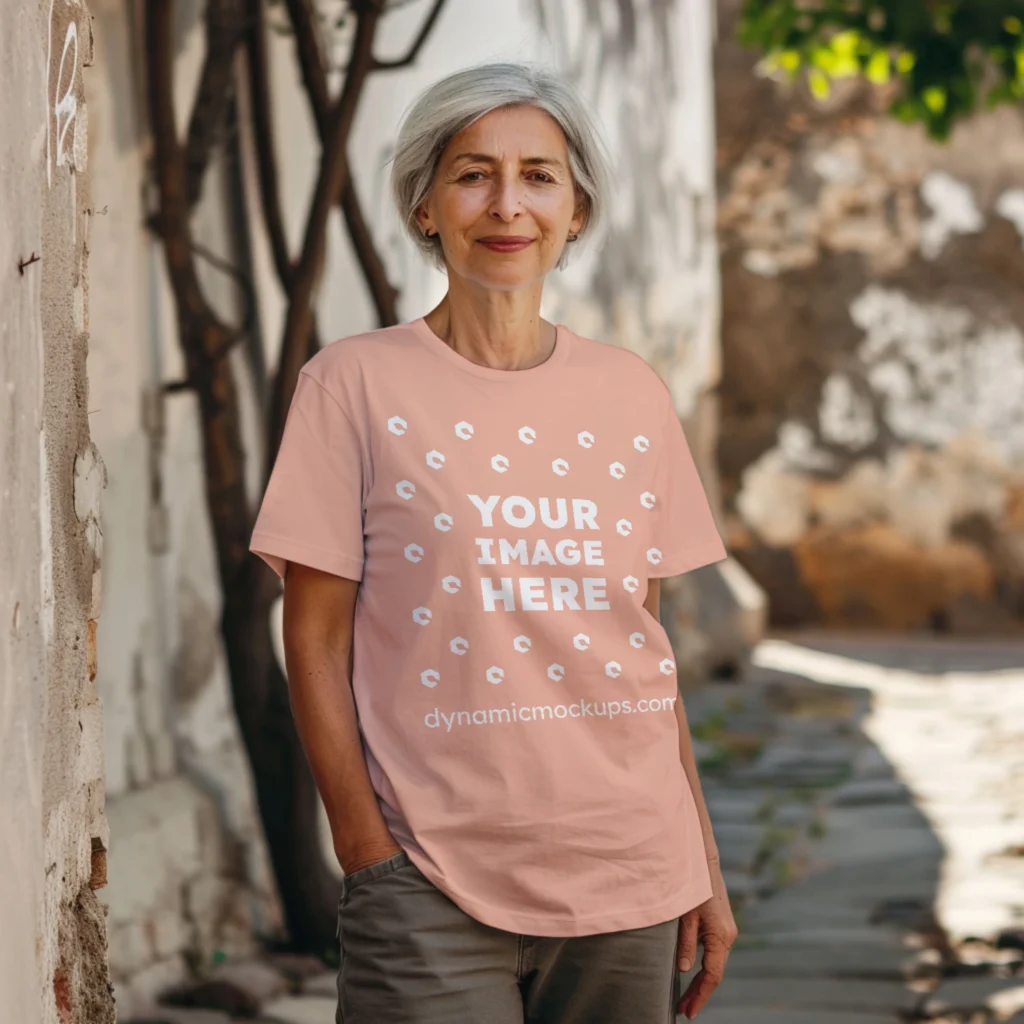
(685, 529)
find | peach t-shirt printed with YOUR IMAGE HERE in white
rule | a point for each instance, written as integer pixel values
(515, 696)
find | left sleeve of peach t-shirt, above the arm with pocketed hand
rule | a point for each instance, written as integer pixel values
(312, 513)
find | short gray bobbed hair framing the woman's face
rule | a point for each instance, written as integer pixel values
(456, 102)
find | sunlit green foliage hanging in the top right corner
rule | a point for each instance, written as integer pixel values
(949, 57)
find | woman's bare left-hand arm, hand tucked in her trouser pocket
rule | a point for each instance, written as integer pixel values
(319, 616)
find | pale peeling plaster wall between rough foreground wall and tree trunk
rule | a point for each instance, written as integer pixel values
(189, 872)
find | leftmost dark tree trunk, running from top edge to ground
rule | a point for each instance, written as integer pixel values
(286, 794)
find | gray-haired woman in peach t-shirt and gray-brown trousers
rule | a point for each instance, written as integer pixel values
(475, 511)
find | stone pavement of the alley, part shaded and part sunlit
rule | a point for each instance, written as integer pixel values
(869, 803)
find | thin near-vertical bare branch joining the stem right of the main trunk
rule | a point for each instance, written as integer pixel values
(267, 163)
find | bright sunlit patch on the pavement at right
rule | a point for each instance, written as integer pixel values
(957, 740)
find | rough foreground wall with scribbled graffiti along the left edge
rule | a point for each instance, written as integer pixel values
(53, 844)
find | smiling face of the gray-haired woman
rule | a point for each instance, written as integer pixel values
(503, 199)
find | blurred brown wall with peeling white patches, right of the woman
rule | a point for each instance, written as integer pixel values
(872, 444)
